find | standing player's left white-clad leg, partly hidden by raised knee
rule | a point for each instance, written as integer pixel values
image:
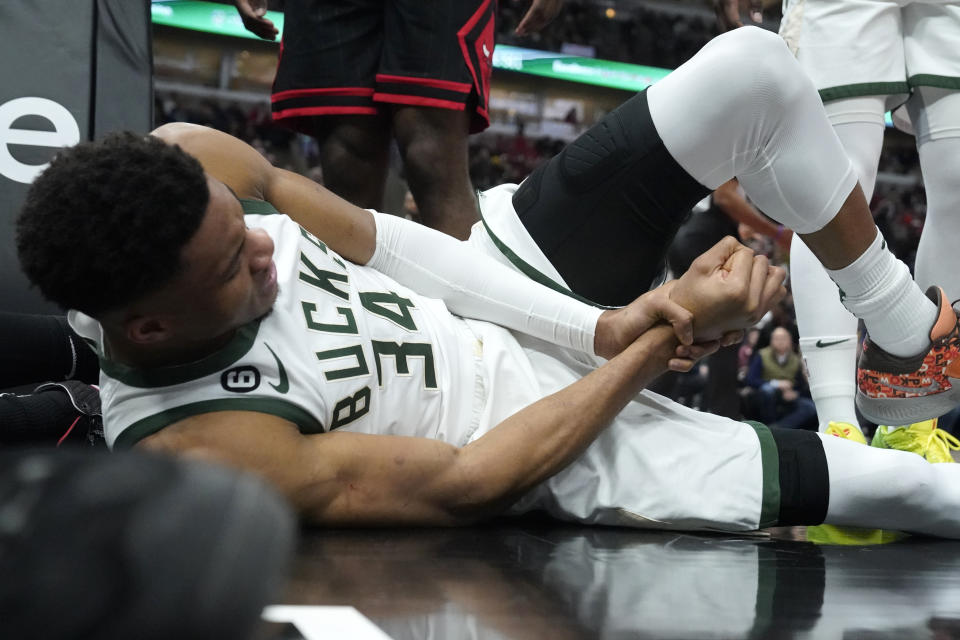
(828, 332)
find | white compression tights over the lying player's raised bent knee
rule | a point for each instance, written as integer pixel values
(743, 107)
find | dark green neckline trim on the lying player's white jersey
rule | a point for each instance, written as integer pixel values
(238, 347)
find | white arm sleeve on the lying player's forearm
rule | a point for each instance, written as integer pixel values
(474, 285)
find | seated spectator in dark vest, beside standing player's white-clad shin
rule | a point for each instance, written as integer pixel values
(776, 373)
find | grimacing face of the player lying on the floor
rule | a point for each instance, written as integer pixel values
(229, 277)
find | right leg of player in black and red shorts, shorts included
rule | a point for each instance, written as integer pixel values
(435, 74)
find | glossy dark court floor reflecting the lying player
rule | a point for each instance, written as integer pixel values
(559, 582)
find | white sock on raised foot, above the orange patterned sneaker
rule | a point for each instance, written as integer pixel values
(878, 289)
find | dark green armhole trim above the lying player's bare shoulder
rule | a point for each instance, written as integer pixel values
(148, 426)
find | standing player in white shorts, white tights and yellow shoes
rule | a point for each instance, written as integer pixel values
(866, 57)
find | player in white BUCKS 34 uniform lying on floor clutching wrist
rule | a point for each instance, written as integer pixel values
(381, 373)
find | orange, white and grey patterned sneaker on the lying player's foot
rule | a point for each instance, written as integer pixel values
(895, 390)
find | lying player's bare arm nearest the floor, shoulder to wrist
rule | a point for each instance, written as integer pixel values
(344, 478)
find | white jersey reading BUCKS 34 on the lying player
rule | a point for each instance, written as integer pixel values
(344, 347)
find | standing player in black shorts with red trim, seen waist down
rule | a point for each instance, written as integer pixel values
(355, 76)
